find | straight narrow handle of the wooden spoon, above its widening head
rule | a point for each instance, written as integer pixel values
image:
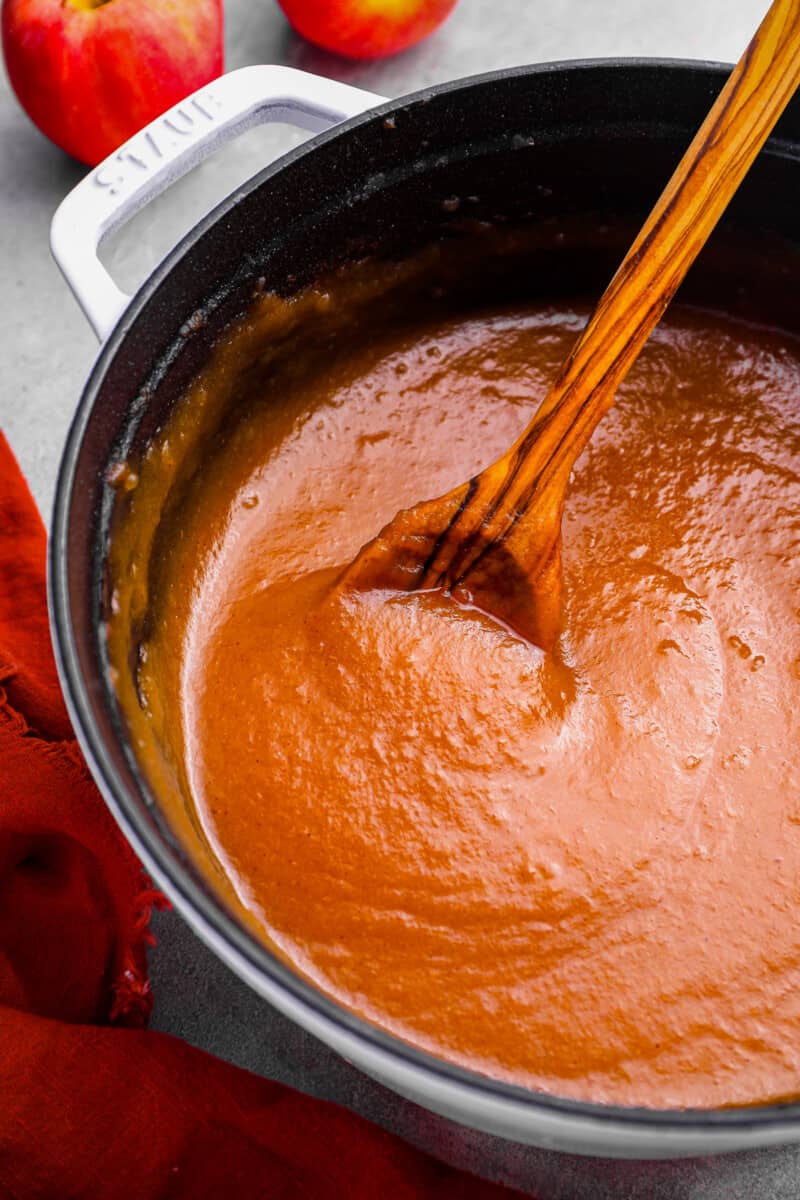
(699, 193)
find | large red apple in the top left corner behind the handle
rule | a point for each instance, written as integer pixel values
(91, 74)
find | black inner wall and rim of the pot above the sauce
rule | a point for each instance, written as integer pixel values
(578, 146)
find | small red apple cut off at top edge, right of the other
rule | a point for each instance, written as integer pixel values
(366, 29)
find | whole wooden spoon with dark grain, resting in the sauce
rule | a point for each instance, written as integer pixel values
(495, 541)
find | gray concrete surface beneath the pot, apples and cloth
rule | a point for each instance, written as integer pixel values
(46, 351)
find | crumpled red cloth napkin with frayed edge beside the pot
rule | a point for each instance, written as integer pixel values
(91, 1106)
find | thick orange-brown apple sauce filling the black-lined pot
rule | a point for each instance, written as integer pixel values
(581, 872)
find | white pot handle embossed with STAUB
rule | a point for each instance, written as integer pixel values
(165, 151)
